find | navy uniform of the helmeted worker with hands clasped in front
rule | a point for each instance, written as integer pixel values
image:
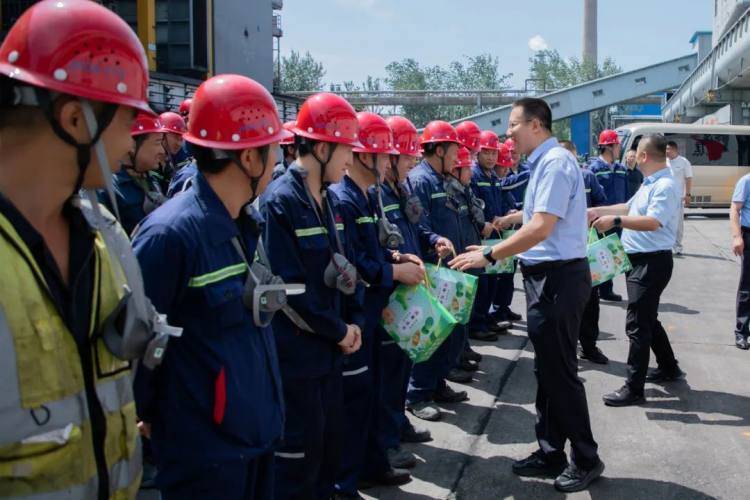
(299, 239)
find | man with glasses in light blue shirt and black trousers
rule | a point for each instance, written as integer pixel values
(552, 247)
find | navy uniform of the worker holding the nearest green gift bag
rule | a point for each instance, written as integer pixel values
(361, 383)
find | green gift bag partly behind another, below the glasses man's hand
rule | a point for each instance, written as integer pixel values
(454, 289)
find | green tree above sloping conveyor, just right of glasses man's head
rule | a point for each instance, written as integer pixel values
(552, 71)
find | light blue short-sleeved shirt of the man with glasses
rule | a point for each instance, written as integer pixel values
(556, 188)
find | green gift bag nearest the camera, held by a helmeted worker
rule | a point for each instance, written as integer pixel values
(416, 321)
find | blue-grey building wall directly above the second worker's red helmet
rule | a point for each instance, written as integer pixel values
(243, 42)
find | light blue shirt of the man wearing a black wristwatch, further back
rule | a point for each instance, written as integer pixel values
(657, 198)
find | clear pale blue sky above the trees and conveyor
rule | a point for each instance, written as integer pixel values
(354, 38)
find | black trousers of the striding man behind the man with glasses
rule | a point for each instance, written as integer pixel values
(646, 282)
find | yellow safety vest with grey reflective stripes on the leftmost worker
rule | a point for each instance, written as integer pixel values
(46, 444)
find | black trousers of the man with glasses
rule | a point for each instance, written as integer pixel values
(555, 297)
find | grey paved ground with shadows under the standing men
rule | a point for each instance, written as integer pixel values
(690, 440)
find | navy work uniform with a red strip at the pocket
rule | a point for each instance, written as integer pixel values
(215, 404)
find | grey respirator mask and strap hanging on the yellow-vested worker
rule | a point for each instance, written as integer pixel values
(134, 329)
